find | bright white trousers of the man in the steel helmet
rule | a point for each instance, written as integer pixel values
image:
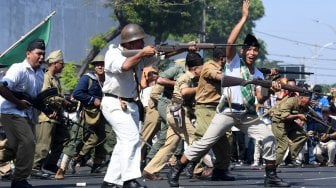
(125, 159)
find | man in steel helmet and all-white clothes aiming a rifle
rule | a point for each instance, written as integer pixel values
(120, 108)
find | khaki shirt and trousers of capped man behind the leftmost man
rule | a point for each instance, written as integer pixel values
(50, 134)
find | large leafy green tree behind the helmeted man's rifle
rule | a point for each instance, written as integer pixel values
(178, 20)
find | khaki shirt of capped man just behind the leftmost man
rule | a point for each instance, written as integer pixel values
(50, 81)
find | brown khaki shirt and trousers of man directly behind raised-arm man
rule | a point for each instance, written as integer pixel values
(207, 97)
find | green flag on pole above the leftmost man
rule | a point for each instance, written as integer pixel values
(17, 53)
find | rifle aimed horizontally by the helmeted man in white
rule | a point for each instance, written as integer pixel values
(164, 49)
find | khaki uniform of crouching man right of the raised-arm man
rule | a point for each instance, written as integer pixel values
(289, 131)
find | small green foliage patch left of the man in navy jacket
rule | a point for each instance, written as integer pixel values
(68, 77)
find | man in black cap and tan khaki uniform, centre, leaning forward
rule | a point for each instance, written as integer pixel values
(180, 113)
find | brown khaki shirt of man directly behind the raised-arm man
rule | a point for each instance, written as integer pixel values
(209, 89)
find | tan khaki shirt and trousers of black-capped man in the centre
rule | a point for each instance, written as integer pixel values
(175, 133)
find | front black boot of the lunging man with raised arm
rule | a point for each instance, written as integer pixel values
(271, 179)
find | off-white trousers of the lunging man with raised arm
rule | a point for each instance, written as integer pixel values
(222, 122)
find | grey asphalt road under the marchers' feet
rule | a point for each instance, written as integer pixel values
(245, 177)
